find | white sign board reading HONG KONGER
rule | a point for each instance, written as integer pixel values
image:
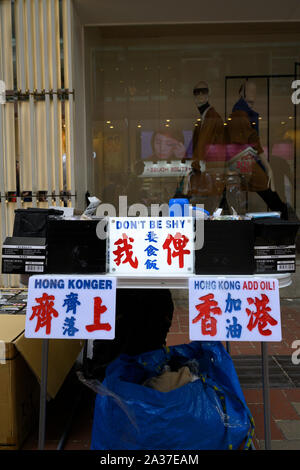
(71, 307)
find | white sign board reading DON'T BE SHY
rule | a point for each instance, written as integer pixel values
(151, 245)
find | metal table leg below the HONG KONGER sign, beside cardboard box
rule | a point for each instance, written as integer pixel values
(43, 394)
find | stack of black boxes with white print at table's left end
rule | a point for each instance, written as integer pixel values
(24, 255)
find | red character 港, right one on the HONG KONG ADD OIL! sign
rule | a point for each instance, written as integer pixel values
(260, 318)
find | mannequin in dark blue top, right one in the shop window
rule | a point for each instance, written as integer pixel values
(243, 129)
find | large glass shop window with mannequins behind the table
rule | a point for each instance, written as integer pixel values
(143, 89)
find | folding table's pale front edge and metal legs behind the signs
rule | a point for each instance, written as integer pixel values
(167, 283)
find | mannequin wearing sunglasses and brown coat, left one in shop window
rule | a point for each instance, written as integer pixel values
(204, 184)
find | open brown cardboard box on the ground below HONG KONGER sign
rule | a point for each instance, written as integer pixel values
(20, 372)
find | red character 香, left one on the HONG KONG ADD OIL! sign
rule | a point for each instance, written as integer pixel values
(208, 307)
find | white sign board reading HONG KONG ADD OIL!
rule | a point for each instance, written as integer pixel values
(234, 309)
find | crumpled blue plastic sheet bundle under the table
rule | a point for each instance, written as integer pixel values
(208, 413)
